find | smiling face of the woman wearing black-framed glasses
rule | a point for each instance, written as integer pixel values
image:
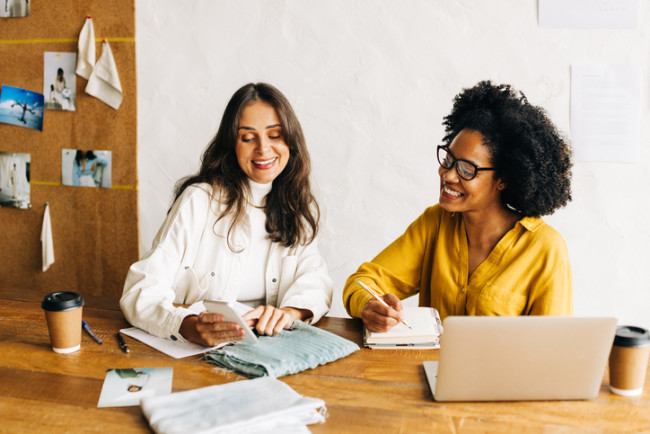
(481, 193)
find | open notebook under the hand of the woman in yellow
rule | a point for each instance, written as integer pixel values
(423, 334)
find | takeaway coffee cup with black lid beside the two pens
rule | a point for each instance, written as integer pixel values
(63, 315)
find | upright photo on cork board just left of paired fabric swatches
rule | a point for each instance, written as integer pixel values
(59, 80)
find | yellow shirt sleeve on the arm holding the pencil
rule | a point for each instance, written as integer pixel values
(397, 269)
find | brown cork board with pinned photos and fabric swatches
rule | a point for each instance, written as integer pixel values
(95, 230)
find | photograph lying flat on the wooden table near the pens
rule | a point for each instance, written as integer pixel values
(126, 387)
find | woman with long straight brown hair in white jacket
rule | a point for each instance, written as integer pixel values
(243, 228)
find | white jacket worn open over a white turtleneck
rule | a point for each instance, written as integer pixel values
(191, 261)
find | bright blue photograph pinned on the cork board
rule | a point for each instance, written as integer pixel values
(21, 107)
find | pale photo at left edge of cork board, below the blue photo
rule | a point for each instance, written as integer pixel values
(14, 180)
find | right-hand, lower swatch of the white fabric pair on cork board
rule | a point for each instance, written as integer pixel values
(104, 82)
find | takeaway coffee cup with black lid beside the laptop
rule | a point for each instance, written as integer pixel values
(628, 361)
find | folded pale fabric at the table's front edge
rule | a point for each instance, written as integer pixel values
(260, 405)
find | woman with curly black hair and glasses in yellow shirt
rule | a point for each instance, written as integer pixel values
(483, 249)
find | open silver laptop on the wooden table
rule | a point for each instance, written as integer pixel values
(520, 358)
